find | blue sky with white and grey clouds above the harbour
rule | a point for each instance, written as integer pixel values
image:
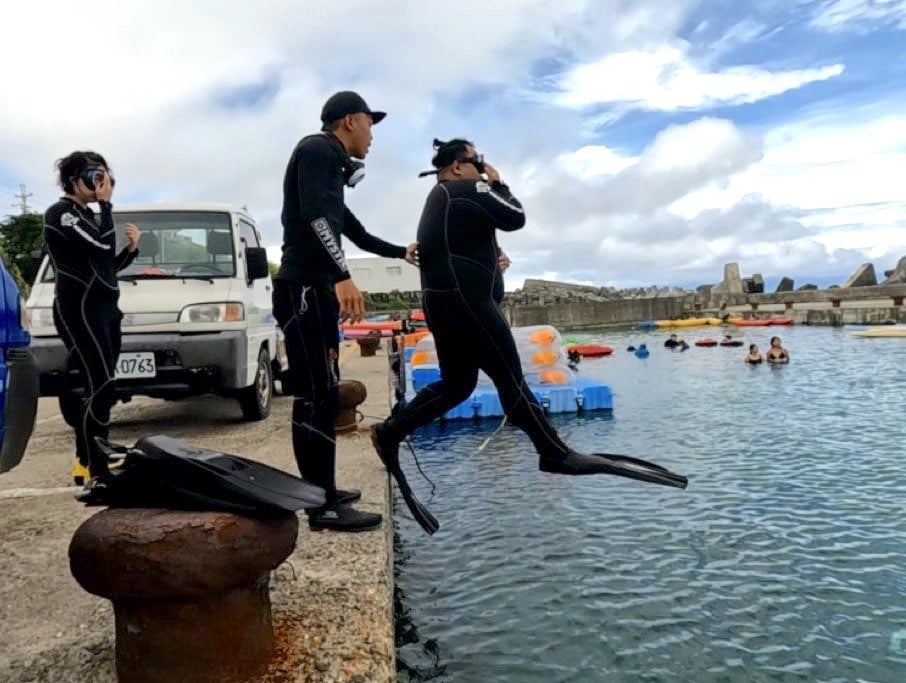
(650, 141)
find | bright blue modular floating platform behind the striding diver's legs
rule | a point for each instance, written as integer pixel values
(585, 394)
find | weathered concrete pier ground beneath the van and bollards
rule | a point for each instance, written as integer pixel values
(332, 599)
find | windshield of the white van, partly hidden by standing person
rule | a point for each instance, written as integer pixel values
(176, 244)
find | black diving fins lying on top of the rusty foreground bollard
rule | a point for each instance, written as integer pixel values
(160, 471)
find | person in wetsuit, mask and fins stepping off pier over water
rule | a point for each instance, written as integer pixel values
(458, 257)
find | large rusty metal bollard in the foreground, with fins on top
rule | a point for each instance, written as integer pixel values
(189, 590)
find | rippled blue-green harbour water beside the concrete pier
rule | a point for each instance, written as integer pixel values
(784, 560)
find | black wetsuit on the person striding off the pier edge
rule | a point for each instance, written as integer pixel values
(458, 255)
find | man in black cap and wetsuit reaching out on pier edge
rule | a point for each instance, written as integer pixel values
(313, 290)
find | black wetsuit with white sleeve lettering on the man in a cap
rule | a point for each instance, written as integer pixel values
(305, 304)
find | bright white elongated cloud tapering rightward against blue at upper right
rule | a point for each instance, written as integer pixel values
(665, 79)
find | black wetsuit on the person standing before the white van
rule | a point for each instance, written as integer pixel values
(82, 249)
